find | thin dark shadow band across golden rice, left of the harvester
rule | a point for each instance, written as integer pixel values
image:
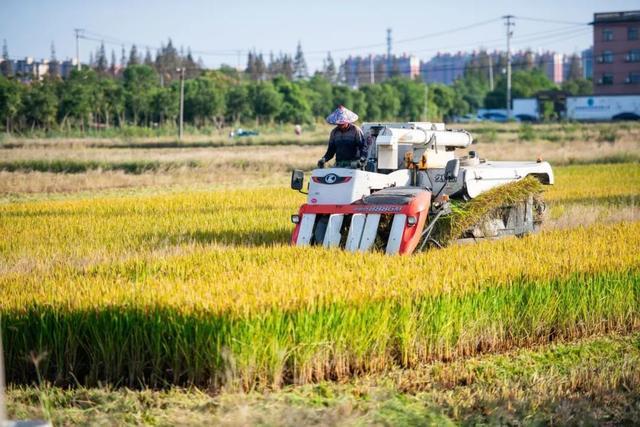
(225, 237)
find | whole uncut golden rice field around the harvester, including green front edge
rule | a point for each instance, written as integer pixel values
(201, 288)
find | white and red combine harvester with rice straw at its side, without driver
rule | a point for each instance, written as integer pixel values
(403, 199)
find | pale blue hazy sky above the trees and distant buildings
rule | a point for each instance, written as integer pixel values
(223, 31)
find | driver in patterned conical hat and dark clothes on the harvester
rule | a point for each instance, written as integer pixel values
(346, 141)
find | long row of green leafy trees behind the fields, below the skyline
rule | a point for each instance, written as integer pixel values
(142, 96)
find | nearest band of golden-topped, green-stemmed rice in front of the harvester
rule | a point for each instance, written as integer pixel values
(265, 317)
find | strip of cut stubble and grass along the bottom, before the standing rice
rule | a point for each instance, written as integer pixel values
(585, 383)
